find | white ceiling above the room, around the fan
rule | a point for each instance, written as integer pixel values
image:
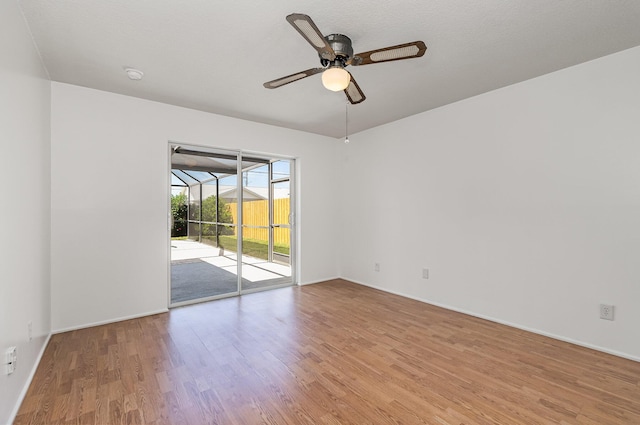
(214, 55)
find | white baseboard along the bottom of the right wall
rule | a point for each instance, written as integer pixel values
(503, 322)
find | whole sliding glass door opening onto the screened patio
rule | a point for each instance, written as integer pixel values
(230, 223)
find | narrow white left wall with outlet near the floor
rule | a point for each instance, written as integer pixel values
(25, 100)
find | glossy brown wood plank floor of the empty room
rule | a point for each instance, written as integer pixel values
(330, 353)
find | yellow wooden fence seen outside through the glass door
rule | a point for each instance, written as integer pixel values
(256, 213)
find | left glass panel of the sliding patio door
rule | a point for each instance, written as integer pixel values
(201, 267)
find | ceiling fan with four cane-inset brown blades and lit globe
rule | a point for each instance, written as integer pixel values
(336, 53)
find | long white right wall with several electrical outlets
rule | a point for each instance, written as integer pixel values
(524, 203)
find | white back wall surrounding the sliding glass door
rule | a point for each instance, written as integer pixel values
(110, 194)
